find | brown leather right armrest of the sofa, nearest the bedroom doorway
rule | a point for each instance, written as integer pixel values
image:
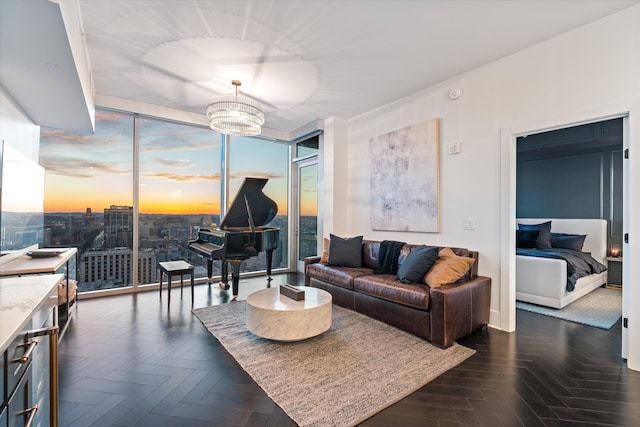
(458, 309)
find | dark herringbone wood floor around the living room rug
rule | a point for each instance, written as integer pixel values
(129, 361)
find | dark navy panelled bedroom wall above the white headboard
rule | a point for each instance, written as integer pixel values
(573, 172)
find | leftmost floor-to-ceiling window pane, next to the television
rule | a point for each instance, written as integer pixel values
(89, 198)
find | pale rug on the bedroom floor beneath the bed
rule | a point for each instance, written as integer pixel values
(600, 308)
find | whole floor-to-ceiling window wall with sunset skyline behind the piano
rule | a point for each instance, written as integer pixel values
(90, 202)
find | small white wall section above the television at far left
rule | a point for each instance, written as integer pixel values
(17, 129)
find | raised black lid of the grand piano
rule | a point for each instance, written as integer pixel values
(263, 209)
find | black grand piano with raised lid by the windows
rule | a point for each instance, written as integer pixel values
(242, 233)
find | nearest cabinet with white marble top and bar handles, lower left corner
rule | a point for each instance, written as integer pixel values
(28, 340)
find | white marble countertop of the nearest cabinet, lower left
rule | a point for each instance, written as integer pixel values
(20, 297)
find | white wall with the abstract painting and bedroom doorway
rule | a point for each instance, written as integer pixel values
(590, 73)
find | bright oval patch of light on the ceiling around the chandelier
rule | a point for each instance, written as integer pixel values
(190, 71)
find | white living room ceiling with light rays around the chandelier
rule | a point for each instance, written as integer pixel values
(308, 60)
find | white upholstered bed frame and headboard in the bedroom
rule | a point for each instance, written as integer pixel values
(543, 281)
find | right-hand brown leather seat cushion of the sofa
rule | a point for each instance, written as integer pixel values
(388, 287)
